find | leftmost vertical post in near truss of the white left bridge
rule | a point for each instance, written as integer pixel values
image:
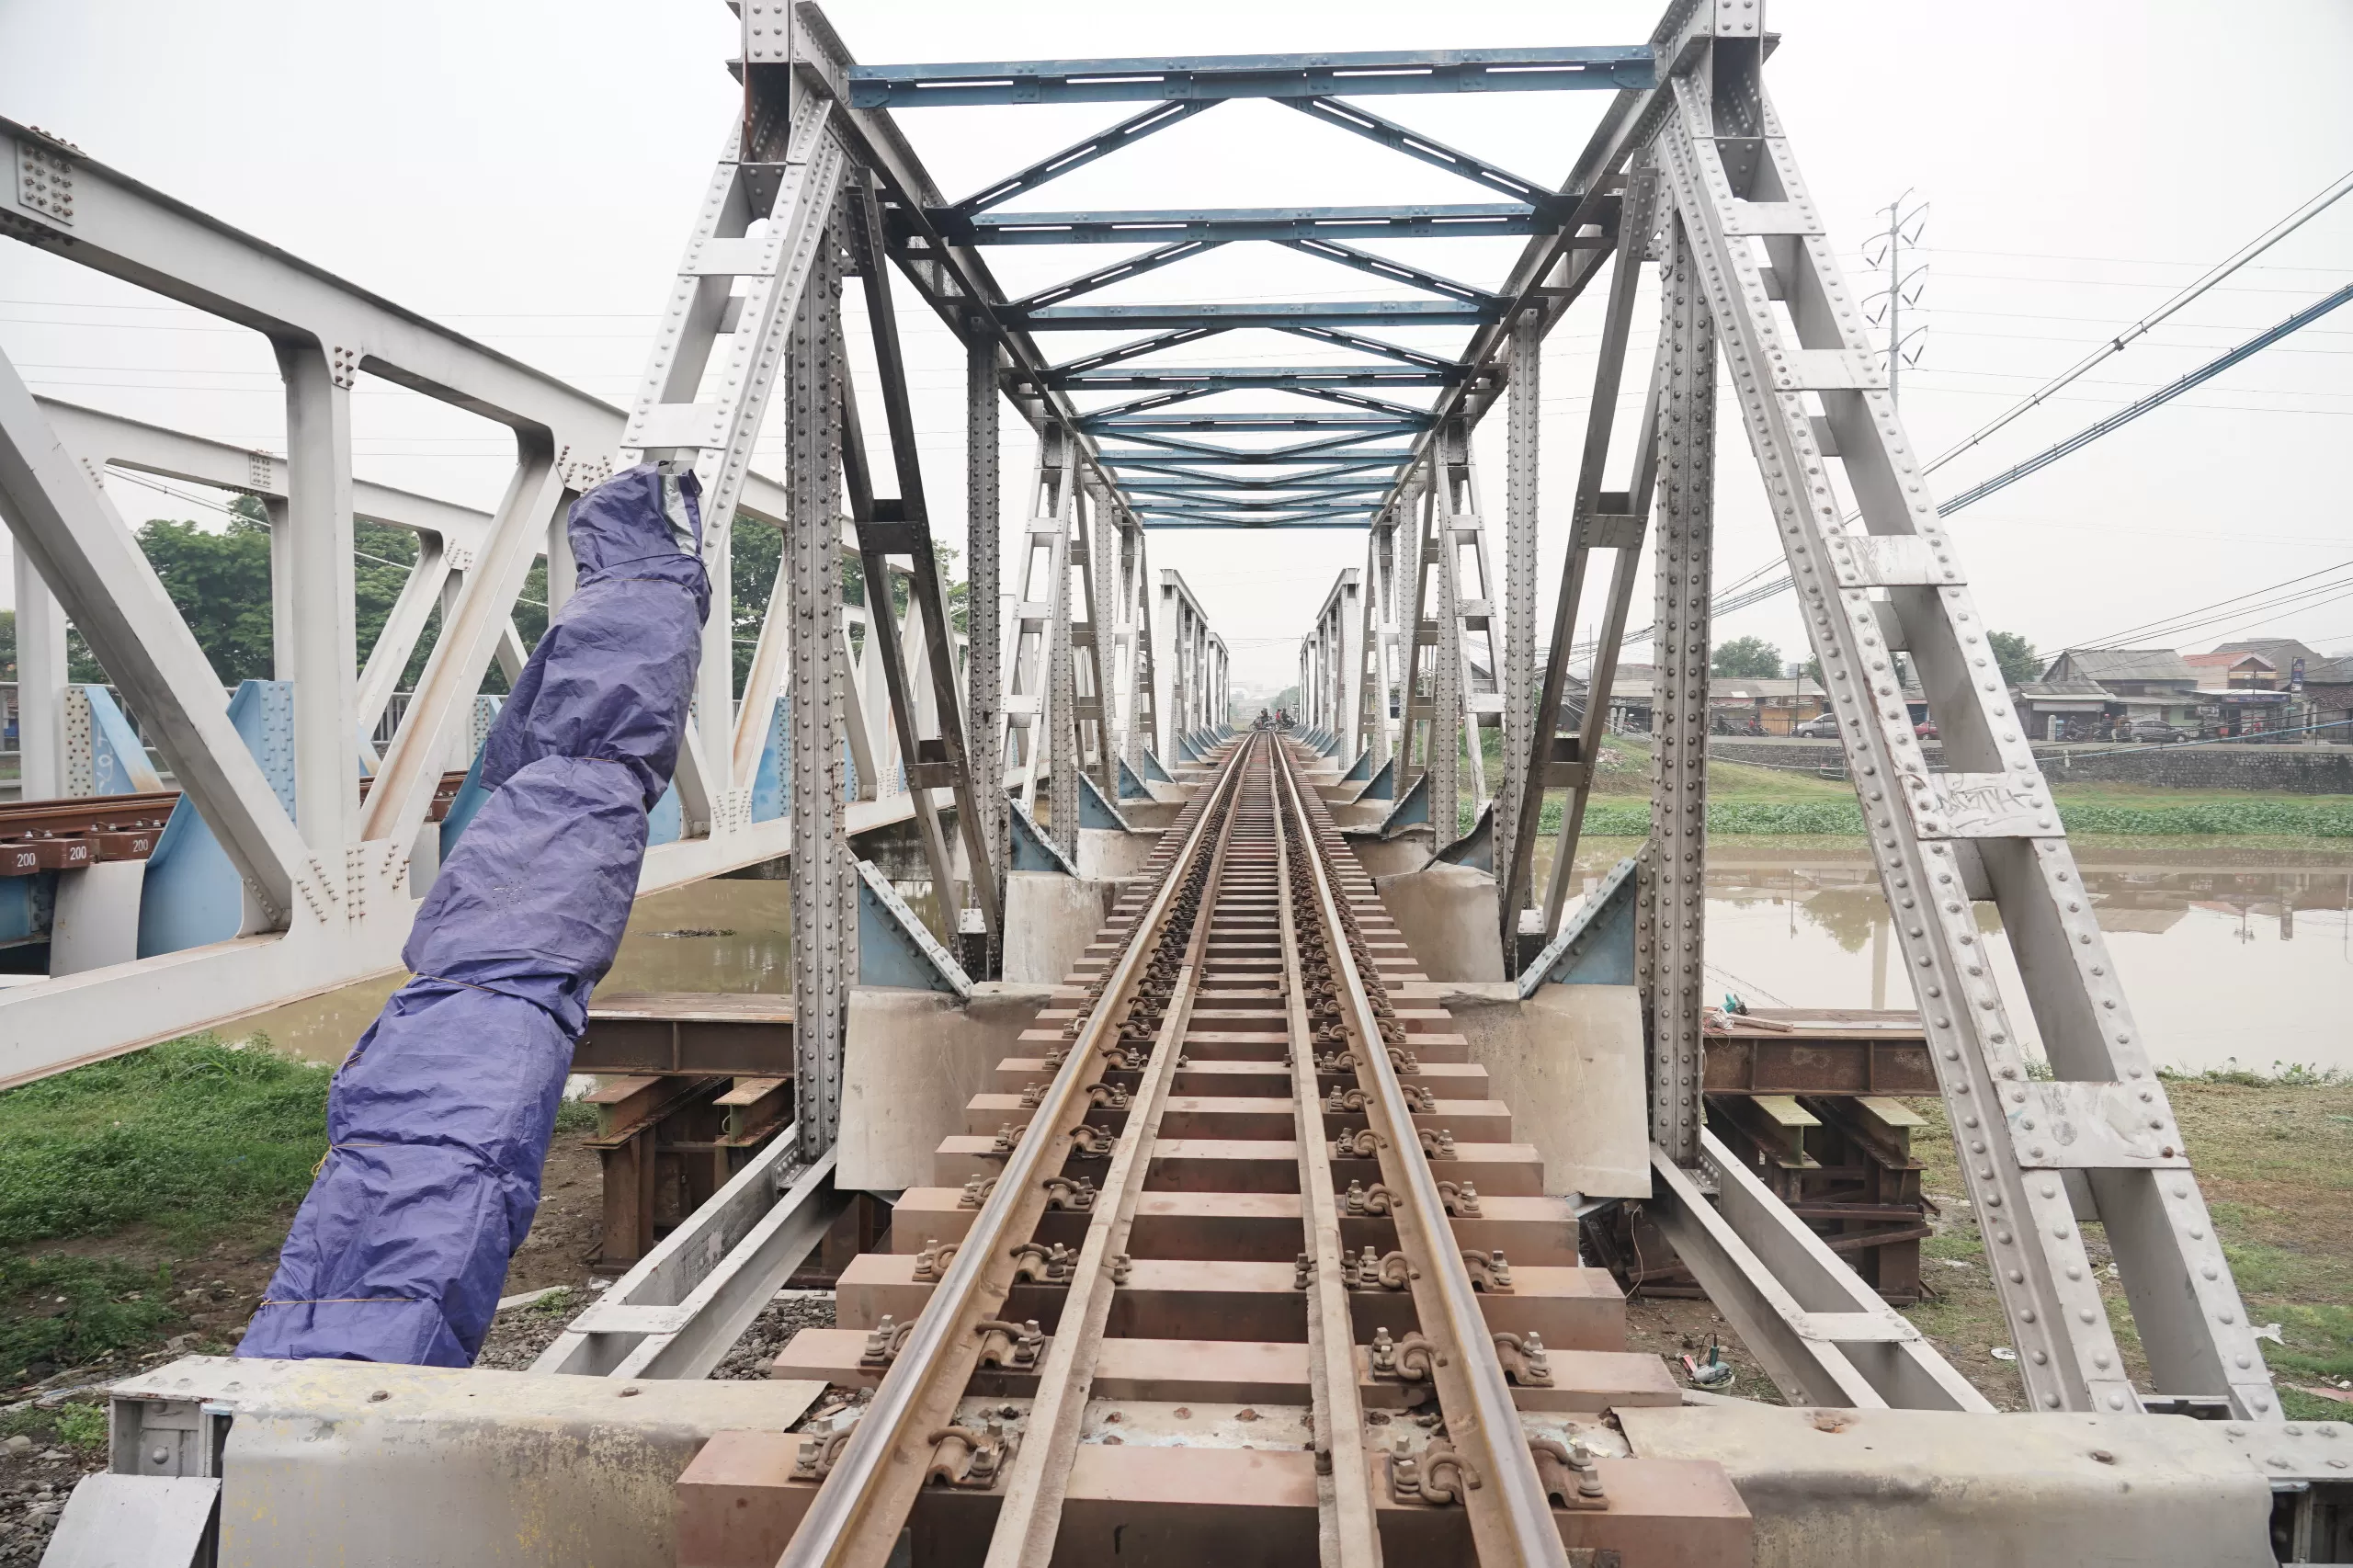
(319, 552)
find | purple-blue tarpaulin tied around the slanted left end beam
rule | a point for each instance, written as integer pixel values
(441, 1119)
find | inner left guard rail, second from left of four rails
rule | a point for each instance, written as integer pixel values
(1029, 1520)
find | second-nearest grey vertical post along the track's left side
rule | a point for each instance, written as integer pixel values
(985, 632)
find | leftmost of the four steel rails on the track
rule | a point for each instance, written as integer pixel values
(858, 1513)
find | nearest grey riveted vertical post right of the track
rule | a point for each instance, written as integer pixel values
(1677, 858)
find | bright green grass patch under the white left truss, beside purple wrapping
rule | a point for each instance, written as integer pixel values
(187, 1136)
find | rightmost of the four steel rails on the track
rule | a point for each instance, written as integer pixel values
(1512, 1517)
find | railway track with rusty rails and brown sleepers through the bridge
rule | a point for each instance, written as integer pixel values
(1244, 1265)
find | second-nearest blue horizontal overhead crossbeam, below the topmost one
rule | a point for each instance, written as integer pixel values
(1159, 227)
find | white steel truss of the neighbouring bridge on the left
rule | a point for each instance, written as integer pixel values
(333, 882)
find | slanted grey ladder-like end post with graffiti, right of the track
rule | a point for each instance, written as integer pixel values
(2098, 1138)
